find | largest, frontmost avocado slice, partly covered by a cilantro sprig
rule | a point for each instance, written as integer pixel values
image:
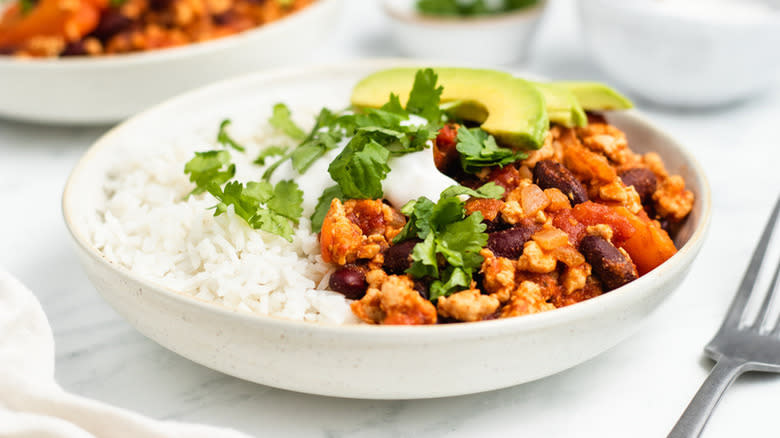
(511, 109)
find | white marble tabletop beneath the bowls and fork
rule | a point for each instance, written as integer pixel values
(639, 388)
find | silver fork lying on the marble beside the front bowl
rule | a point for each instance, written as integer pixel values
(736, 348)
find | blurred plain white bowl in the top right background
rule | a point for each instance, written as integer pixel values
(680, 58)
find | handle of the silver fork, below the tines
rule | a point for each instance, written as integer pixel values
(692, 421)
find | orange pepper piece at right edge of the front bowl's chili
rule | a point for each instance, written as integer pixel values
(650, 245)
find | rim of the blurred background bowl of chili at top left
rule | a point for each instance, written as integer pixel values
(169, 53)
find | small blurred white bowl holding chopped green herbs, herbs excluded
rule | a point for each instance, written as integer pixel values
(500, 39)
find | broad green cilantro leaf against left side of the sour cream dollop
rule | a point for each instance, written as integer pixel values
(360, 168)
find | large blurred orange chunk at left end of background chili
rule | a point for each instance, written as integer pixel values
(50, 18)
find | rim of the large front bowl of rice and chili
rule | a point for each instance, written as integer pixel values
(631, 292)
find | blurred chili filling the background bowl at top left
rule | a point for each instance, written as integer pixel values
(49, 28)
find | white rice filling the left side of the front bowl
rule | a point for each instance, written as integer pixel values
(149, 226)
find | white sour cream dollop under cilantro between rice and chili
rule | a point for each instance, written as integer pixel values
(411, 176)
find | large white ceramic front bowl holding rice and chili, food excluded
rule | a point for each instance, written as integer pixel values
(389, 362)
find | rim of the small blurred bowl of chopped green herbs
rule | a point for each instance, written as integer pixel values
(446, 21)
